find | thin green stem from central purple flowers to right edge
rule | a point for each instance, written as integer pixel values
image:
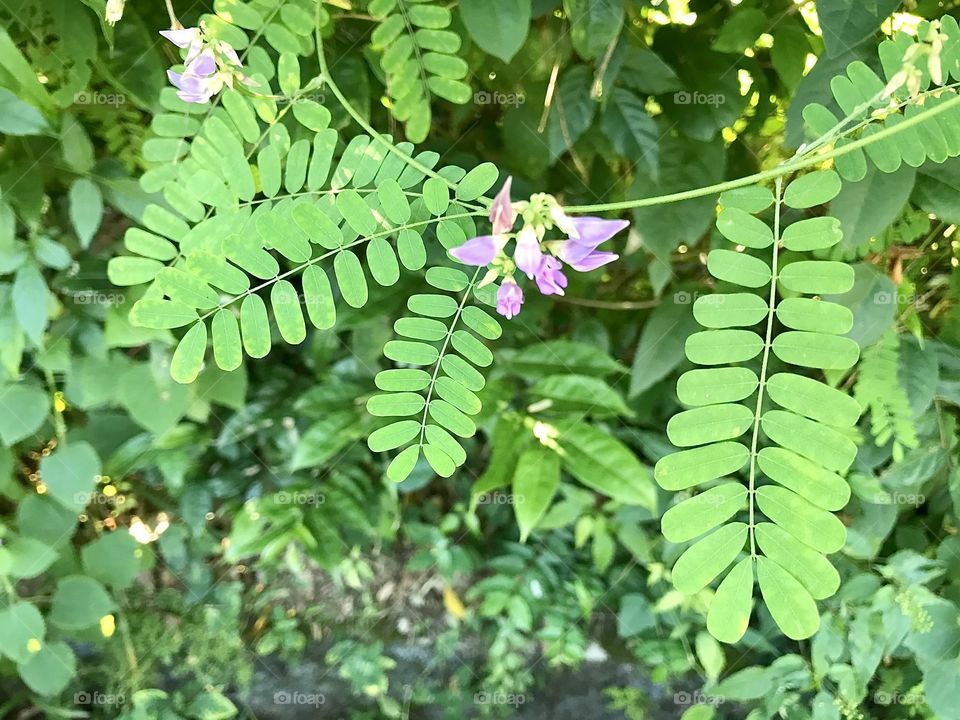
(780, 171)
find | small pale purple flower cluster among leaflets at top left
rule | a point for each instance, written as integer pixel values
(207, 67)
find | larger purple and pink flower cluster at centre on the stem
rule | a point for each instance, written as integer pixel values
(579, 249)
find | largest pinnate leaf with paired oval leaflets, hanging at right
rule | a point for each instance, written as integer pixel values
(793, 479)
